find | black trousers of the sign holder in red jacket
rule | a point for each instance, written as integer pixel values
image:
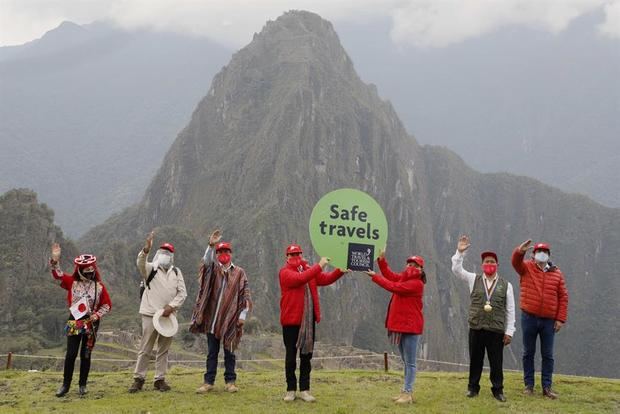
(290, 334)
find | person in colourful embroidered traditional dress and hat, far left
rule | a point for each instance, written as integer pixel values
(88, 302)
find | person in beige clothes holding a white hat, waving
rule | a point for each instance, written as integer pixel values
(164, 289)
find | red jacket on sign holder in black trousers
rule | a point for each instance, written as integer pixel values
(293, 287)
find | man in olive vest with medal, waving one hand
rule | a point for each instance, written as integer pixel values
(491, 318)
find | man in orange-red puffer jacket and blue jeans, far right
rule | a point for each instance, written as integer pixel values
(544, 308)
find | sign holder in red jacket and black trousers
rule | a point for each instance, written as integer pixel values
(300, 310)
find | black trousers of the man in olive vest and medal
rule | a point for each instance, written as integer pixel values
(493, 343)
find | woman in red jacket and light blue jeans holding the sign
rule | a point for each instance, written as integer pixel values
(405, 319)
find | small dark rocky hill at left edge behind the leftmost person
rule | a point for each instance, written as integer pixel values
(32, 305)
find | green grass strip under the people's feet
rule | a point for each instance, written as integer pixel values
(336, 391)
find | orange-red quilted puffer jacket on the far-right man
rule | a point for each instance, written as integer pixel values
(543, 293)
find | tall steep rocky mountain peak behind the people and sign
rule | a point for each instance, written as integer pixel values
(289, 120)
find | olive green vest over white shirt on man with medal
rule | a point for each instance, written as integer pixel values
(491, 321)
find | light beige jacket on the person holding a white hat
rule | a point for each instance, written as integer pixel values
(166, 288)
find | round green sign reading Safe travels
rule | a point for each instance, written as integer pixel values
(349, 227)
